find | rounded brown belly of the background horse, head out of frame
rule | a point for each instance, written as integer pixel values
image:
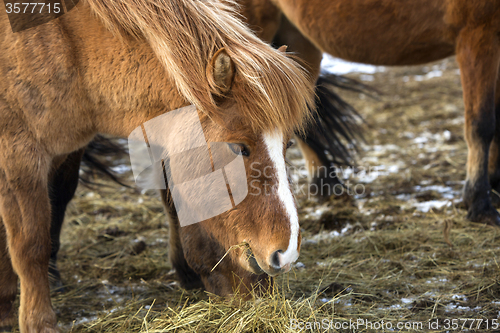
(380, 32)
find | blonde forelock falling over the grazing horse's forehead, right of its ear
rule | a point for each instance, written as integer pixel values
(271, 90)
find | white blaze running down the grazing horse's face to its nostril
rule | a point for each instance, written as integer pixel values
(274, 144)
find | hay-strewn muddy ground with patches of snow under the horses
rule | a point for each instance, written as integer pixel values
(379, 254)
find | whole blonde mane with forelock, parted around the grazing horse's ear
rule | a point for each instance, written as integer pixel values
(271, 90)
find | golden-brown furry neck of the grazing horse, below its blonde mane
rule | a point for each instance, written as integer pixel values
(125, 83)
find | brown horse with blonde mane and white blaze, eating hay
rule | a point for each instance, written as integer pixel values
(108, 67)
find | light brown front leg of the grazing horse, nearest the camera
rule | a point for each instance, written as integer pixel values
(25, 211)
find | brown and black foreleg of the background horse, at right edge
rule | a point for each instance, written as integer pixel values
(478, 57)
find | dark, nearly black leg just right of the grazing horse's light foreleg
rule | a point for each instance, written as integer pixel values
(62, 187)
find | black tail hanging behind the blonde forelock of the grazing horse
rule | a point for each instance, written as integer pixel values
(336, 130)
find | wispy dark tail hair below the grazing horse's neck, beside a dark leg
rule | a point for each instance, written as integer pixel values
(101, 155)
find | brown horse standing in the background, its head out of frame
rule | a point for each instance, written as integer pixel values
(390, 32)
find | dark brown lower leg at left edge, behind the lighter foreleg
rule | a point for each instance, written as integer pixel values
(8, 285)
